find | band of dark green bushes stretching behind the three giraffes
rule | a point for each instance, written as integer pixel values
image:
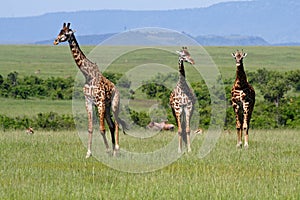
(277, 102)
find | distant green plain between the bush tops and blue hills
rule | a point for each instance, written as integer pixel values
(57, 61)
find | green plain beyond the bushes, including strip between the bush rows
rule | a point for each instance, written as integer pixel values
(56, 61)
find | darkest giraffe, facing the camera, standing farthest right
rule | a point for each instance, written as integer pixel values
(242, 99)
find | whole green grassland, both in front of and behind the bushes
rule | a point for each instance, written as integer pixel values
(52, 165)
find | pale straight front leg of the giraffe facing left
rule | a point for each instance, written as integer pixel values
(89, 108)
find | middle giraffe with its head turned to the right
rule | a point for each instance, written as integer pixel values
(182, 100)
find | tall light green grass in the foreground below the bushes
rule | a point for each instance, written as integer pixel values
(51, 165)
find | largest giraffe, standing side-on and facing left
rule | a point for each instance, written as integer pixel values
(98, 92)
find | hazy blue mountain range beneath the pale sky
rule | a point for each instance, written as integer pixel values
(276, 21)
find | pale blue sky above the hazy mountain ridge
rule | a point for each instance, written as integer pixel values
(22, 8)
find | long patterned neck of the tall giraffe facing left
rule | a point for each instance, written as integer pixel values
(89, 69)
